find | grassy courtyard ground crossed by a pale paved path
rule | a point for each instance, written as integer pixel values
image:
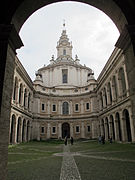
(84, 160)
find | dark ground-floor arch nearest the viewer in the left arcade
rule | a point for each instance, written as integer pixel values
(13, 129)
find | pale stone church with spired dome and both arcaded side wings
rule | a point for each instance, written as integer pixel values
(66, 100)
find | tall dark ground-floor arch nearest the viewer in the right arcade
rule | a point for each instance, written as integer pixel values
(127, 123)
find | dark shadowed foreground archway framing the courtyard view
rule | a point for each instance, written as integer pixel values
(18, 13)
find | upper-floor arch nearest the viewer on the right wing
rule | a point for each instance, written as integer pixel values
(122, 83)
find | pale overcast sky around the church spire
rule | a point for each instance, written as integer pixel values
(93, 36)
